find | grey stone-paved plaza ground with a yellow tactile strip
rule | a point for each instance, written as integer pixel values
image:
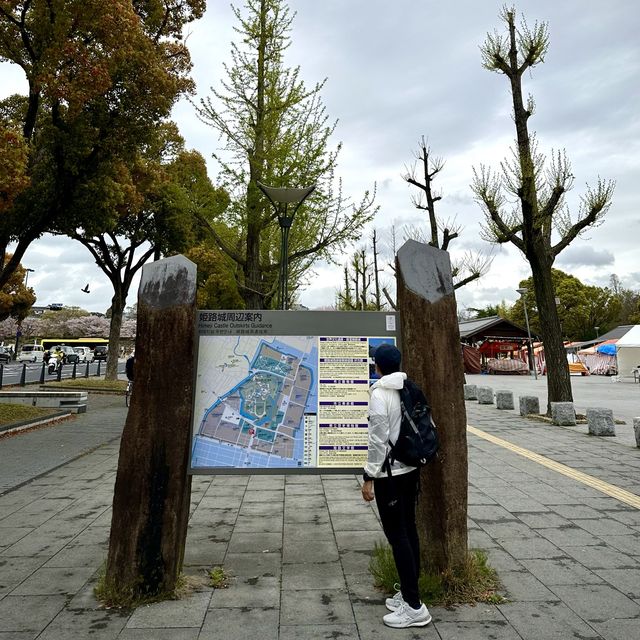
(557, 511)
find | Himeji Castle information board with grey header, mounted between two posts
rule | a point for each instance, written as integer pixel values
(284, 391)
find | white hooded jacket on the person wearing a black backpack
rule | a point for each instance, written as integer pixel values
(384, 424)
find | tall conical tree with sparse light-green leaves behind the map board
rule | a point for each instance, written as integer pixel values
(275, 131)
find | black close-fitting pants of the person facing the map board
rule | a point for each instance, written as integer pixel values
(396, 500)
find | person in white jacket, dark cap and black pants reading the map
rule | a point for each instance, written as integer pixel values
(394, 488)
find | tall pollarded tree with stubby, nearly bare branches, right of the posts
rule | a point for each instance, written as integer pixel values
(539, 188)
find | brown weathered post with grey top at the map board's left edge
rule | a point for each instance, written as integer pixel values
(152, 491)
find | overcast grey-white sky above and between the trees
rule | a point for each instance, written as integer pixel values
(409, 68)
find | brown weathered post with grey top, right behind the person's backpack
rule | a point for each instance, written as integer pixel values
(431, 352)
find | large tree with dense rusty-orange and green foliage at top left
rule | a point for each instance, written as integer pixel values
(99, 75)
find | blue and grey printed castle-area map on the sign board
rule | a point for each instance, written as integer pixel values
(252, 394)
